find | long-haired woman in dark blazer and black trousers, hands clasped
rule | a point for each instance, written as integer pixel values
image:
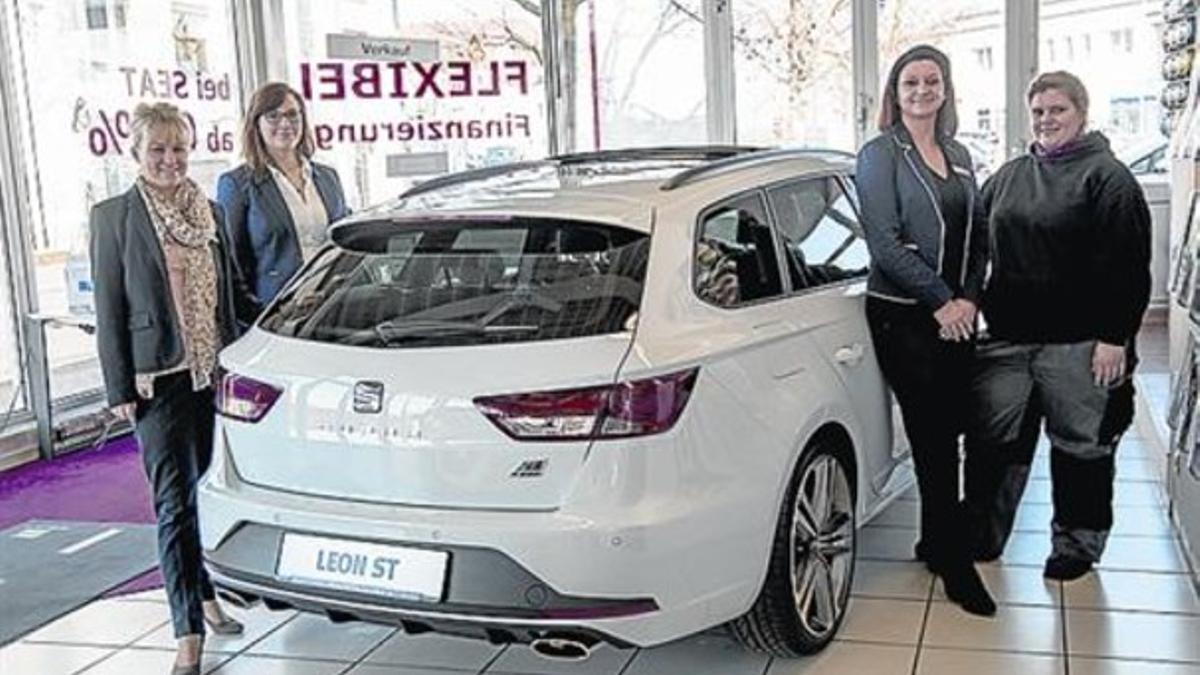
(928, 247)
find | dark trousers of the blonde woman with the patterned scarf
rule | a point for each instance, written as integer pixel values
(175, 431)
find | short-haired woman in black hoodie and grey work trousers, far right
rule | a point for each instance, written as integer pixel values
(1070, 283)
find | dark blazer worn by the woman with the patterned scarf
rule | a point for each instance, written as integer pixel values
(137, 330)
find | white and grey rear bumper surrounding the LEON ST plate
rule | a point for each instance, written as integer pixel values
(629, 577)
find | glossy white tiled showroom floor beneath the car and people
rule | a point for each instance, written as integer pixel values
(1137, 616)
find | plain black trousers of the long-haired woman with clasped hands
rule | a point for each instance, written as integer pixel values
(929, 378)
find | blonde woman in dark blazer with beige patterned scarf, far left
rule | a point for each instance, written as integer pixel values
(166, 303)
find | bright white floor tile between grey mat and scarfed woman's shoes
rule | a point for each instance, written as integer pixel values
(105, 623)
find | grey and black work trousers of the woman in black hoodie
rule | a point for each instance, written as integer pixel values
(1016, 390)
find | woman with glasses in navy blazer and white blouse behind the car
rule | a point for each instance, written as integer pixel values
(279, 204)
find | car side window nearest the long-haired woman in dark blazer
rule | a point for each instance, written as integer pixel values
(821, 235)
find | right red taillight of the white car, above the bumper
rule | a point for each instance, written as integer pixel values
(640, 408)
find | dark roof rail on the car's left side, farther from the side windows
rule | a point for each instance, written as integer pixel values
(665, 153)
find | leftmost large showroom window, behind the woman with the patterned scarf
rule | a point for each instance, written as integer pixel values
(80, 69)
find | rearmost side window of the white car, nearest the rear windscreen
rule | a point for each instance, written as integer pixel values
(736, 259)
